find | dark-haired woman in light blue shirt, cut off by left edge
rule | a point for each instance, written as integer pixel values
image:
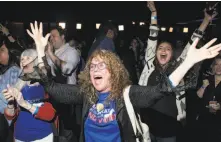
(9, 72)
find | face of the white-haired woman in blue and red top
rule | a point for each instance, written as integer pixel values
(27, 64)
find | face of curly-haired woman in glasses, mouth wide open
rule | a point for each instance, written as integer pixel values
(100, 75)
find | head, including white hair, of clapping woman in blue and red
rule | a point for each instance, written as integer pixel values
(28, 60)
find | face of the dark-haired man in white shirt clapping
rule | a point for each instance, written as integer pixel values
(56, 39)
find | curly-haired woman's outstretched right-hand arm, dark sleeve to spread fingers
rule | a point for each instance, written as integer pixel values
(143, 96)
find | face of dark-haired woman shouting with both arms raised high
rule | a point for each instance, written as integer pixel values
(164, 53)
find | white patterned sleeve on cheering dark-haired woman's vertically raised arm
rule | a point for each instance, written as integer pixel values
(151, 43)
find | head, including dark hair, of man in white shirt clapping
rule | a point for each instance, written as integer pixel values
(57, 37)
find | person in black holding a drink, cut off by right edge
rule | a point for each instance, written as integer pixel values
(210, 114)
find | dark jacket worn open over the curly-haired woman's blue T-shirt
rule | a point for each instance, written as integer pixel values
(140, 96)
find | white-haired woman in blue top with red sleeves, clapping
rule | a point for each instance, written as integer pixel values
(27, 104)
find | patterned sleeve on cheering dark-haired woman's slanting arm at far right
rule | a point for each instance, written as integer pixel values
(195, 35)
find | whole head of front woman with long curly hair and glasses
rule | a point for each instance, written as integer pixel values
(104, 72)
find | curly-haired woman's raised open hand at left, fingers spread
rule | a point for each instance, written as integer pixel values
(37, 35)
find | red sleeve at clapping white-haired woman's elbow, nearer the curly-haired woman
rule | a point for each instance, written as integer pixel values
(46, 112)
